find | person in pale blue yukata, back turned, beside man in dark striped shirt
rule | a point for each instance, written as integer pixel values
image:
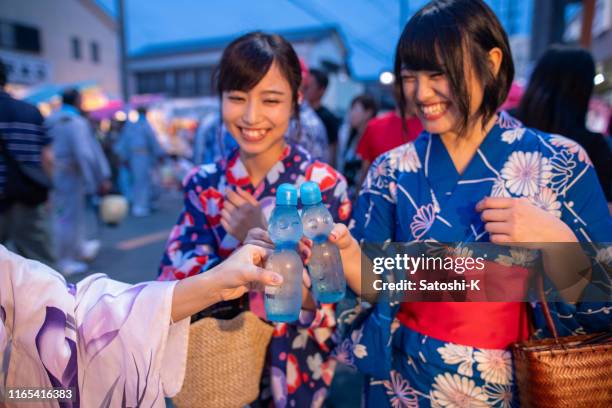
(78, 172)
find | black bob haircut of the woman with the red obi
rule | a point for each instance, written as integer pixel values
(447, 36)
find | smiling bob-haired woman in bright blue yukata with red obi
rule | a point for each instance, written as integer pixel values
(473, 175)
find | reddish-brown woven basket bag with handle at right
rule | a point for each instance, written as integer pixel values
(573, 371)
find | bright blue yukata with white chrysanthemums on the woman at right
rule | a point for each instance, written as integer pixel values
(414, 193)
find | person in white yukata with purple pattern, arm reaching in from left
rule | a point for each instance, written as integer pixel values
(111, 344)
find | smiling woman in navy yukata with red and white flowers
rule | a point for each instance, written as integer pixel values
(258, 81)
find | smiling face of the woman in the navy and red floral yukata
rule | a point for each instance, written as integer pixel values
(258, 119)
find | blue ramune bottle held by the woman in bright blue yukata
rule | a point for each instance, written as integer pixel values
(325, 267)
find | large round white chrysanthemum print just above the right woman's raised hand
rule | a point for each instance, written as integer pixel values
(526, 172)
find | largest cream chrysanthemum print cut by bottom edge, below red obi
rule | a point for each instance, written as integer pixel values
(455, 391)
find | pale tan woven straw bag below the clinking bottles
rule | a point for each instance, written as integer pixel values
(224, 362)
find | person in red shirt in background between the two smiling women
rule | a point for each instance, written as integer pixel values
(386, 132)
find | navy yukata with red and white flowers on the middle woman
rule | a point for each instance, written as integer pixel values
(299, 369)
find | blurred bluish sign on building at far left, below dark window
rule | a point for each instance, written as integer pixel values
(25, 70)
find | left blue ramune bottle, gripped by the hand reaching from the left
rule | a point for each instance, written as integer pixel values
(283, 303)
